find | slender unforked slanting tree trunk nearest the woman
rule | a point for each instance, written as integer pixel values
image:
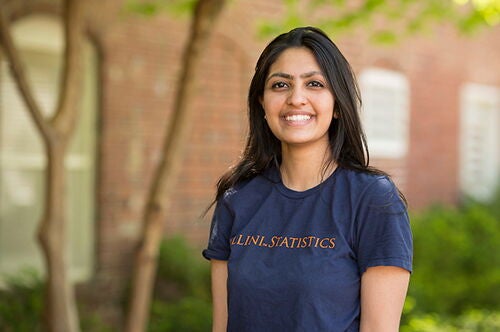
(205, 14)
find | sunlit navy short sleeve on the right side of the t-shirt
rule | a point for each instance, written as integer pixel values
(383, 228)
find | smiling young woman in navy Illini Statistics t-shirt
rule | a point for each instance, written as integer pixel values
(306, 236)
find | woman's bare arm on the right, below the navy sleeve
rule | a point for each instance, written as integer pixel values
(383, 292)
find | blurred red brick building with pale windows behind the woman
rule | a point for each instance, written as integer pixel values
(432, 112)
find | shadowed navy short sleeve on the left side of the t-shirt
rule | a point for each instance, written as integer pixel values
(220, 231)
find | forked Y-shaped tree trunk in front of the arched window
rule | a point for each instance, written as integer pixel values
(60, 314)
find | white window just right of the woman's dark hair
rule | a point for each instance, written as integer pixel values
(385, 112)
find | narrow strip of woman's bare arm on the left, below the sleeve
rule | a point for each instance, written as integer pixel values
(219, 294)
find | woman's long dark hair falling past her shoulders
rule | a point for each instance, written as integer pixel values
(346, 137)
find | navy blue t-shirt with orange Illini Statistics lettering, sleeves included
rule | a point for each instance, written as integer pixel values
(295, 259)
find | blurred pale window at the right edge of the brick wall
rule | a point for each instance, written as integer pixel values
(479, 140)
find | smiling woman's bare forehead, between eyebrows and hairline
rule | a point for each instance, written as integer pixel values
(295, 60)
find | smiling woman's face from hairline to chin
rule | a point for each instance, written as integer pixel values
(297, 101)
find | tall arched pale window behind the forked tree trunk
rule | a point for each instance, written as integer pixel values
(22, 161)
